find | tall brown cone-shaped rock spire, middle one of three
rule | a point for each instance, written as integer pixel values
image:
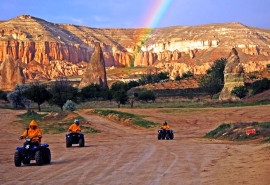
(95, 72)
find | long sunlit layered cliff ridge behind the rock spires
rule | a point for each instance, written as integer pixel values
(47, 49)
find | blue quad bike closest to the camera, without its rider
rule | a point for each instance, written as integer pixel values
(32, 151)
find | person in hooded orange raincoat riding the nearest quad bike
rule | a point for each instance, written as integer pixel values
(33, 132)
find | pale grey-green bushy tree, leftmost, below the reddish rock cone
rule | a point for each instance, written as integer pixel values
(16, 97)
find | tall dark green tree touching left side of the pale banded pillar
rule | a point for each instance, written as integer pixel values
(213, 81)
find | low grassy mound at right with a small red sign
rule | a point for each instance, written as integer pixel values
(237, 131)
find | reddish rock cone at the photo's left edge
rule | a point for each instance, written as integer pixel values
(10, 74)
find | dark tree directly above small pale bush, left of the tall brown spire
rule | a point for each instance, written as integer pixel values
(62, 91)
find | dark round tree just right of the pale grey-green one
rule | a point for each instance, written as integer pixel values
(37, 93)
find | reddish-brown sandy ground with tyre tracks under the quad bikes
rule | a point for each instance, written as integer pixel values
(122, 155)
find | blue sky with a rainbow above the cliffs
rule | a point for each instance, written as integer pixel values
(141, 13)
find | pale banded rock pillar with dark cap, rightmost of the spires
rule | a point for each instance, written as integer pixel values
(233, 76)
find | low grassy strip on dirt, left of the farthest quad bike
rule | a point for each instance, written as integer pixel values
(123, 116)
